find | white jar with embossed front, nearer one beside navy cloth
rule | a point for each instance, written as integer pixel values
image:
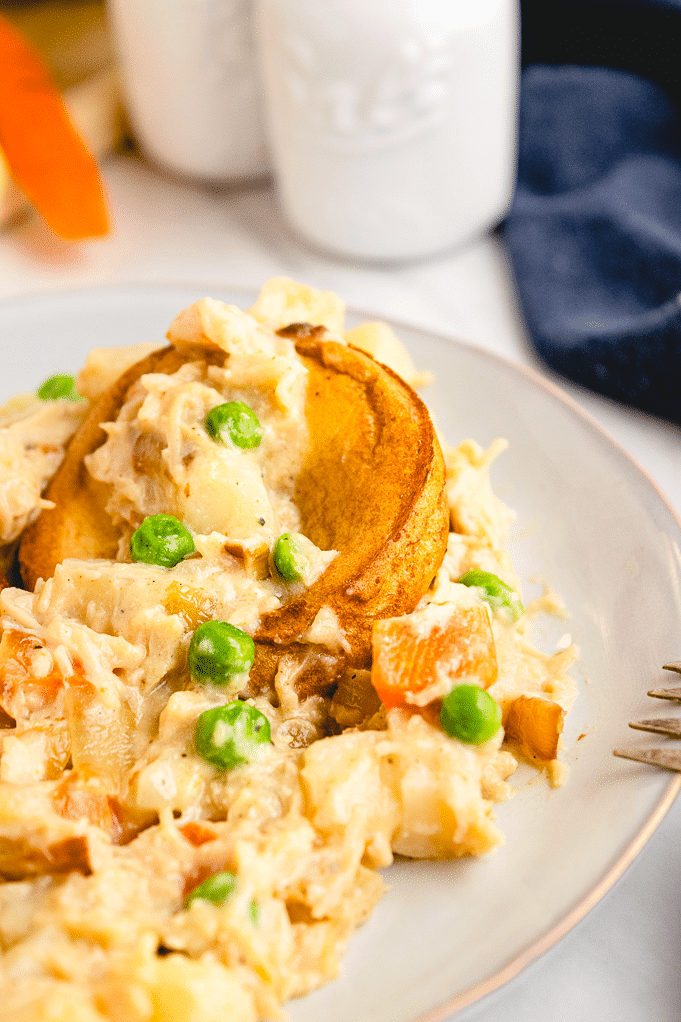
(392, 123)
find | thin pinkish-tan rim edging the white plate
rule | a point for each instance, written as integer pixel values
(535, 949)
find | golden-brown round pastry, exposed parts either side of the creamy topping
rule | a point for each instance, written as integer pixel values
(372, 488)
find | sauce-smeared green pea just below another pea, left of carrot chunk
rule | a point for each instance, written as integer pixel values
(228, 736)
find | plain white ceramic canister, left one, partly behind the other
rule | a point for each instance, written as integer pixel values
(192, 86)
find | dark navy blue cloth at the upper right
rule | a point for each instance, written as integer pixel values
(595, 231)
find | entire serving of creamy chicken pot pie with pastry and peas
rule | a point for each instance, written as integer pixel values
(266, 638)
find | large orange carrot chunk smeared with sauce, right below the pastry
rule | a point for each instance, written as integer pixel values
(410, 661)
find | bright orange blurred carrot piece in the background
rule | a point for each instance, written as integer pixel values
(48, 159)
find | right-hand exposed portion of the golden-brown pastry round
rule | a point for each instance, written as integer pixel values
(373, 488)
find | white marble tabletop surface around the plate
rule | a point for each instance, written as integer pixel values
(621, 964)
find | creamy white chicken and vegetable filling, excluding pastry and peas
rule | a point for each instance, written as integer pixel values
(94, 671)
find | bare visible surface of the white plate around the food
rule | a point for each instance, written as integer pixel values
(592, 525)
